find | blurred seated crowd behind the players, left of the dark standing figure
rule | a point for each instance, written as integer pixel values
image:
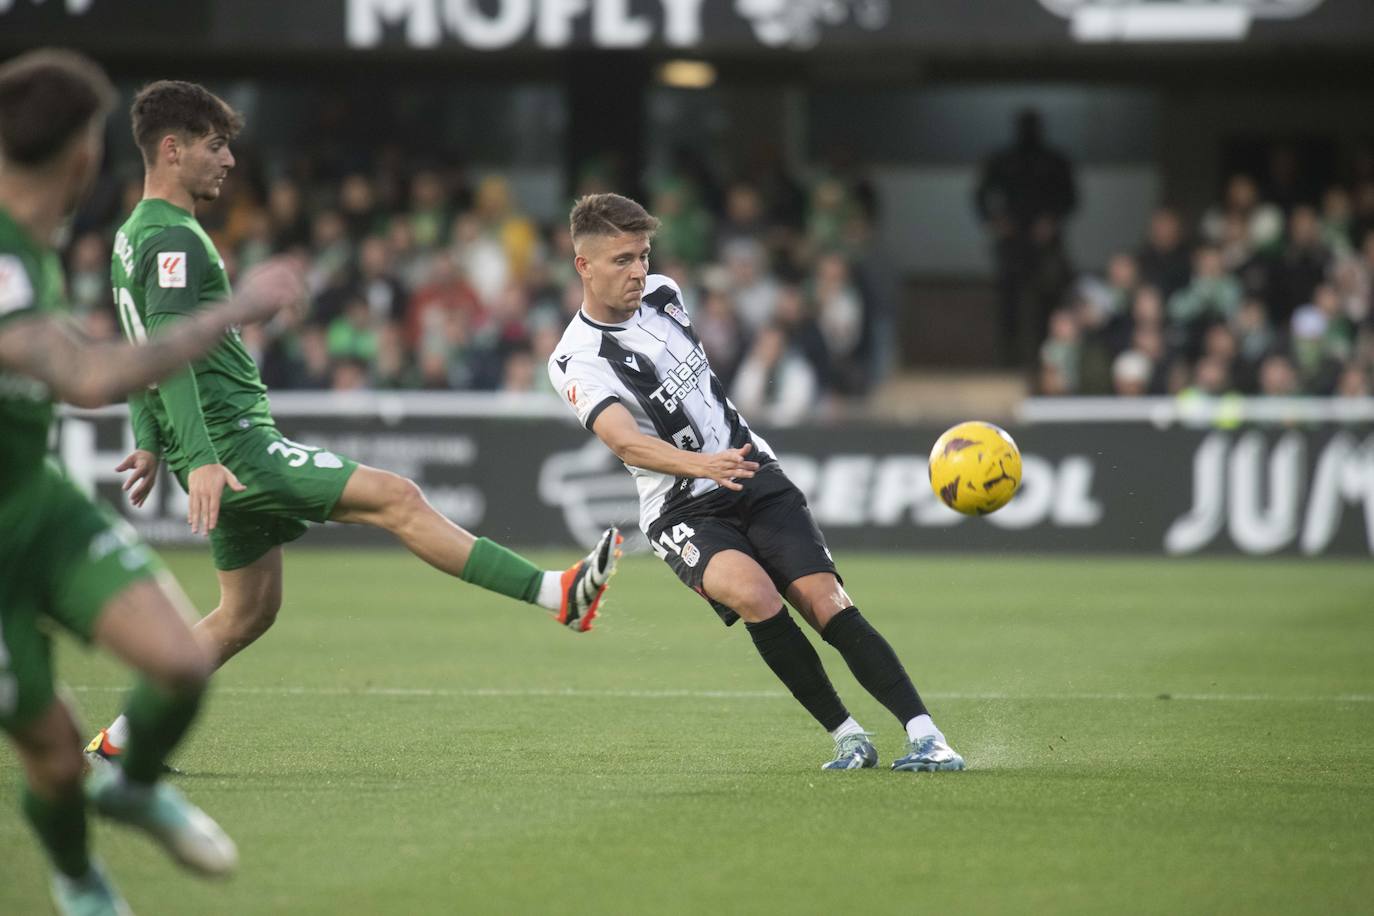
(427, 279)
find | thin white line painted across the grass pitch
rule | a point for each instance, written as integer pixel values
(690, 694)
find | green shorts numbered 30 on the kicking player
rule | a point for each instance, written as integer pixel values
(288, 485)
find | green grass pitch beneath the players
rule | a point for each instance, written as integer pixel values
(401, 744)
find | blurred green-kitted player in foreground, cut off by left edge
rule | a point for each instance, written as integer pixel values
(65, 560)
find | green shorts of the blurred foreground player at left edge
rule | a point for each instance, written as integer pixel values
(63, 558)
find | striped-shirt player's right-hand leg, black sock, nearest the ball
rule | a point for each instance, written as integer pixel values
(828, 608)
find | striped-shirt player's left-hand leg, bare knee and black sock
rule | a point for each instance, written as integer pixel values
(736, 580)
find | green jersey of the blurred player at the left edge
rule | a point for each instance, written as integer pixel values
(31, 284)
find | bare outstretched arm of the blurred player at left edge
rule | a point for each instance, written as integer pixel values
(91, 374)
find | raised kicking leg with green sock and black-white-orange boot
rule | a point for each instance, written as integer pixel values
(396, 505)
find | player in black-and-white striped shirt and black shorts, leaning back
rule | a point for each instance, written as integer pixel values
(714, 499)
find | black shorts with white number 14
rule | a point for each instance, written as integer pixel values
(767, 521)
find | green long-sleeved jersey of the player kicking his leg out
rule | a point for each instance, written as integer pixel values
(166, 268)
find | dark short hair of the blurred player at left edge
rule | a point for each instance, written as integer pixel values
(47, 98)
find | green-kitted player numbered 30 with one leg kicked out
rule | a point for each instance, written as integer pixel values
(251, 488)
